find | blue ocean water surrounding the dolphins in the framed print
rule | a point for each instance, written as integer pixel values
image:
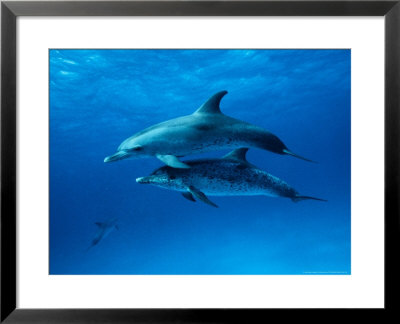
(98, 98)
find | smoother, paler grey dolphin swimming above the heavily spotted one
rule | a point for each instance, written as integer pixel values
(207, 129)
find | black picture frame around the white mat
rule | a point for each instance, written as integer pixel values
(10, 10)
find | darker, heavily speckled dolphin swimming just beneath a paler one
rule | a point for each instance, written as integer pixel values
(231, 175)
